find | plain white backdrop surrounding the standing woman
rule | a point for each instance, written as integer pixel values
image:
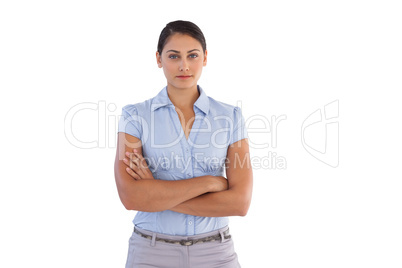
(59, 203)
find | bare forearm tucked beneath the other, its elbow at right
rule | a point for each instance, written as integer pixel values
(219, 204)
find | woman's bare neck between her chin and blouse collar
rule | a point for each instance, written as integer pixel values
(183, 98)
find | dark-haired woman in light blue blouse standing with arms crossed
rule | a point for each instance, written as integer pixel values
(173, 151)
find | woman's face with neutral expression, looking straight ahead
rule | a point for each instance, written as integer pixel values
(182, 60)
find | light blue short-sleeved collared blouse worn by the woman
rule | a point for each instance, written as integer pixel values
(170, 156)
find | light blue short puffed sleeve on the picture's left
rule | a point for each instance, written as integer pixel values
(130, 121)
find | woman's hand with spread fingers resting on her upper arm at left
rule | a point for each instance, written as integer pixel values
(137, 166)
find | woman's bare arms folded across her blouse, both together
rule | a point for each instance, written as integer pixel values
(207, 196)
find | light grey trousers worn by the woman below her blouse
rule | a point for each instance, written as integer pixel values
(146, 253)
